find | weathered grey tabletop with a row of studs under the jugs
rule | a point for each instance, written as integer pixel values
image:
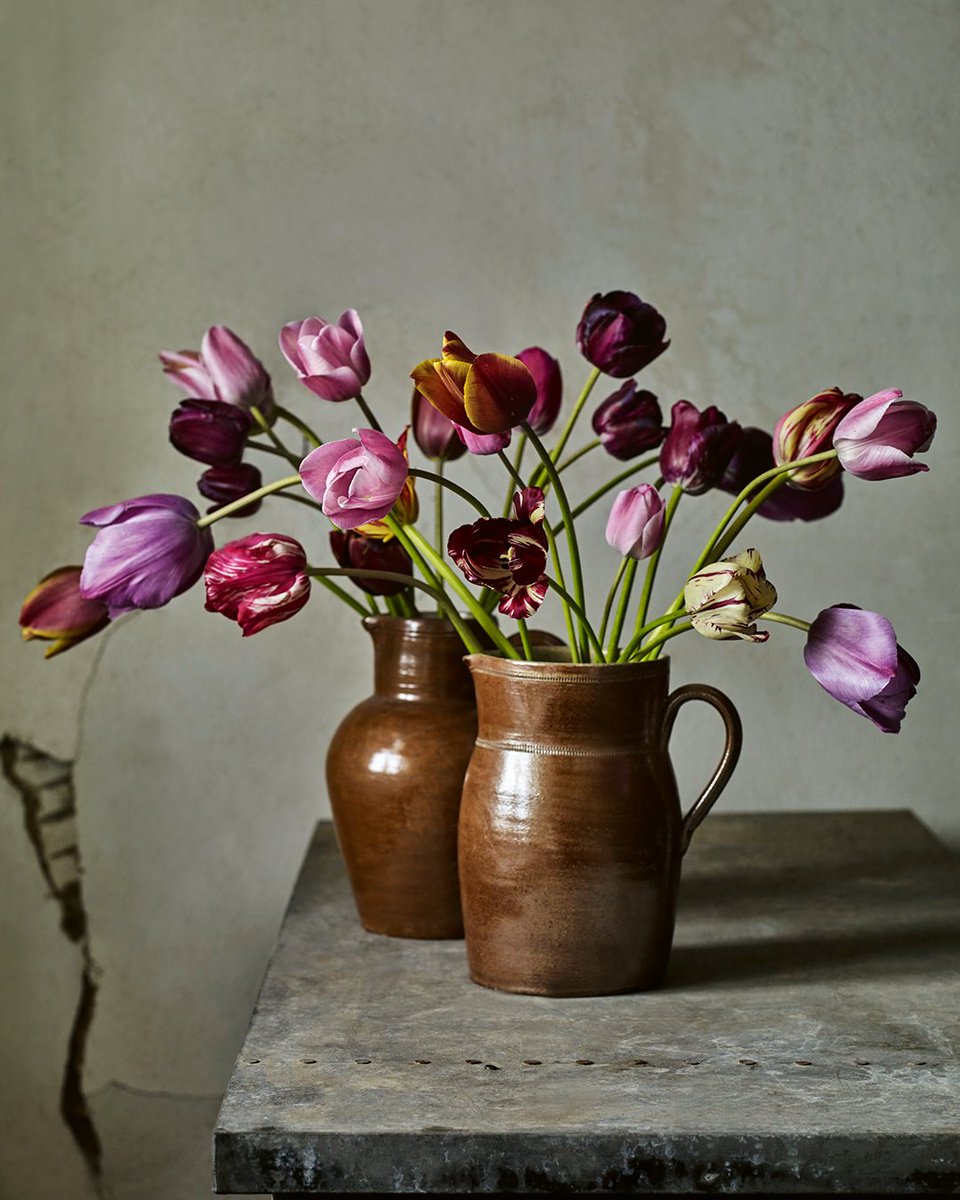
(806, 1039)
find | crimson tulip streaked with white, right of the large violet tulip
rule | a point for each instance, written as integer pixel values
(257, 581)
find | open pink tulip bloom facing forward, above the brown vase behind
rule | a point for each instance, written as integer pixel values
(356, 482)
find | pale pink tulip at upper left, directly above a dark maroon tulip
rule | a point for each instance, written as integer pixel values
(224, 369)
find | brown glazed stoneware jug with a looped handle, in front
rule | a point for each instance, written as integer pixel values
(571, 830)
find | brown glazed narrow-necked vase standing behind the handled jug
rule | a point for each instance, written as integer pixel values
(394, 773)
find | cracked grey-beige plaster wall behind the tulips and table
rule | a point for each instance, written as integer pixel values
(781, 179)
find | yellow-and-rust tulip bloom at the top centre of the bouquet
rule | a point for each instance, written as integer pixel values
(482, 393)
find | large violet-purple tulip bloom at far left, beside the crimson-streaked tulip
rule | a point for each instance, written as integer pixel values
(148, 551)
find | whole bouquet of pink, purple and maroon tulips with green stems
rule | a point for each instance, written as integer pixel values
(154, 548)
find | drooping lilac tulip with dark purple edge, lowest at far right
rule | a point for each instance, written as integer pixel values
(854, 655)
